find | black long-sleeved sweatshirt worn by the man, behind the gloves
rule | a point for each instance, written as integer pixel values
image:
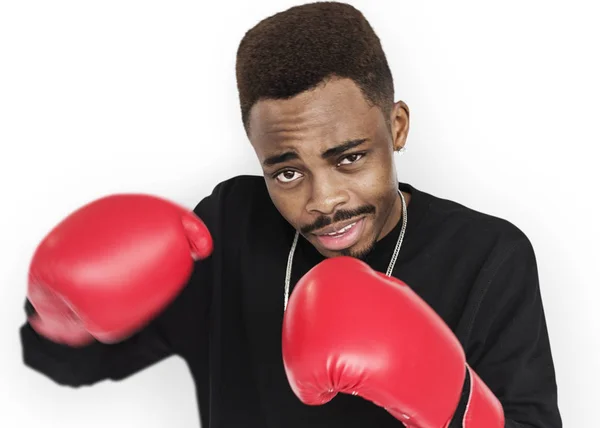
(478, 272)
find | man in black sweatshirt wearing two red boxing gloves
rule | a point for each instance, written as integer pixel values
(316, 98)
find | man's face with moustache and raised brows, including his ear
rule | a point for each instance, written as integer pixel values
(327, 158)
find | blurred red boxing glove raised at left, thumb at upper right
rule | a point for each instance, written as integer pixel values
(111, 266)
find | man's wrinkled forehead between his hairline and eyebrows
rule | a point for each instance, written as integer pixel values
(334, 111)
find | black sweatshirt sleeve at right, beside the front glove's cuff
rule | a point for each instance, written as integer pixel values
(510, 348)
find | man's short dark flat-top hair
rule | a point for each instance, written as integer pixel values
(297, 49)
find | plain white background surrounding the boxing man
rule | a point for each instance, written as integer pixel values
(103, 97)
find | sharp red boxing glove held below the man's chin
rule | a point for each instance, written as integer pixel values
(352, 330)
